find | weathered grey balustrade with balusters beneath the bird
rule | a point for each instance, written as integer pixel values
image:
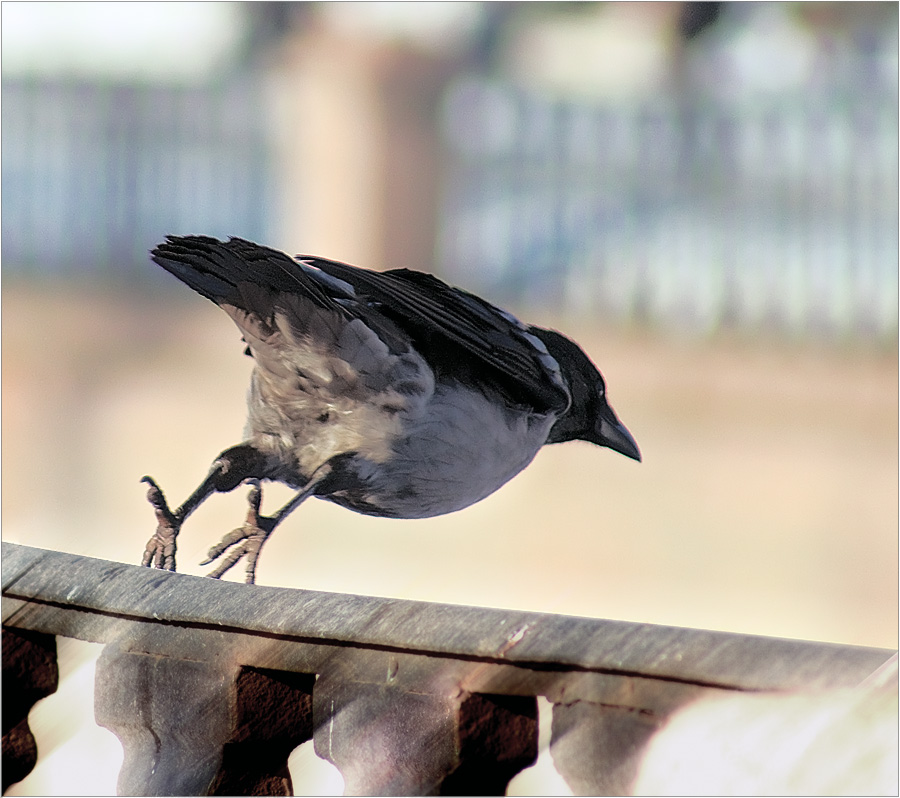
(210, 685)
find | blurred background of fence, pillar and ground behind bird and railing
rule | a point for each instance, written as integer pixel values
(704, 195)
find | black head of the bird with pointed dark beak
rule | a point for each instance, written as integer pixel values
(589, 417)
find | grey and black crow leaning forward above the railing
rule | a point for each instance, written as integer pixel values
(389, 393)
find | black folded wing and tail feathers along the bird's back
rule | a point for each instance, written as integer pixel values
(455, 331)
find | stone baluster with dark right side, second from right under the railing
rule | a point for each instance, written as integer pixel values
(386, 740)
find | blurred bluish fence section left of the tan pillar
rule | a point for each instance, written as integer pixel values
(94, 174)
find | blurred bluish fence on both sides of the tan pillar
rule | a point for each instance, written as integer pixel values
(780, 215)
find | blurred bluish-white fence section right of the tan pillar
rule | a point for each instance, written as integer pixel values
(757, 215)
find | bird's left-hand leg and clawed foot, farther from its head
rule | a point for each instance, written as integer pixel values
(228, 470)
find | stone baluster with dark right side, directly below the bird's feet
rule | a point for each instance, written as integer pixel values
(196, 728)
